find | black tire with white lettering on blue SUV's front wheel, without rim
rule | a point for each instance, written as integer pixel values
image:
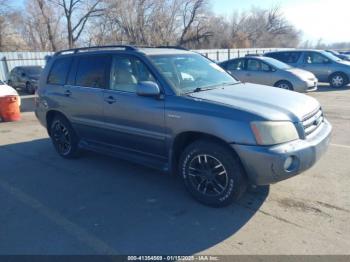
(231, 163)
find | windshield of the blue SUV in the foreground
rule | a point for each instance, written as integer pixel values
(191, 72)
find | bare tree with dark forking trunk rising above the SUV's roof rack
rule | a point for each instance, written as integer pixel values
(77, 13)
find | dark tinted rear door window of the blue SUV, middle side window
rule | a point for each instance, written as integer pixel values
(92, 71)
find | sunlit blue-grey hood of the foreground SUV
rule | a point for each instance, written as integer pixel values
(271, 103)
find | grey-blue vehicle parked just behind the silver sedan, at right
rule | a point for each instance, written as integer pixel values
(325, 66)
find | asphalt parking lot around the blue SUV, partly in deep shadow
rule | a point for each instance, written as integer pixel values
(101, 205)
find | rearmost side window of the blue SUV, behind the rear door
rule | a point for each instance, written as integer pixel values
(59, 71)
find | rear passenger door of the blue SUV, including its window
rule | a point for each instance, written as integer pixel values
(84, 94)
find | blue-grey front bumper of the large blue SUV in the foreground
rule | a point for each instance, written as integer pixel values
(265, 164)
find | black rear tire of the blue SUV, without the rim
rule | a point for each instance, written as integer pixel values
(72, 135)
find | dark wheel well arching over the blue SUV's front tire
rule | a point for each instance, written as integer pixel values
(182, 140)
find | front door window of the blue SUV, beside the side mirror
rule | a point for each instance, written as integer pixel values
(127, 72)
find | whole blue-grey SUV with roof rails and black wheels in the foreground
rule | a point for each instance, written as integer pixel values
(176, 110)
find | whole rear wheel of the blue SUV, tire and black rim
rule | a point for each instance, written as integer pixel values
(64, 138)
